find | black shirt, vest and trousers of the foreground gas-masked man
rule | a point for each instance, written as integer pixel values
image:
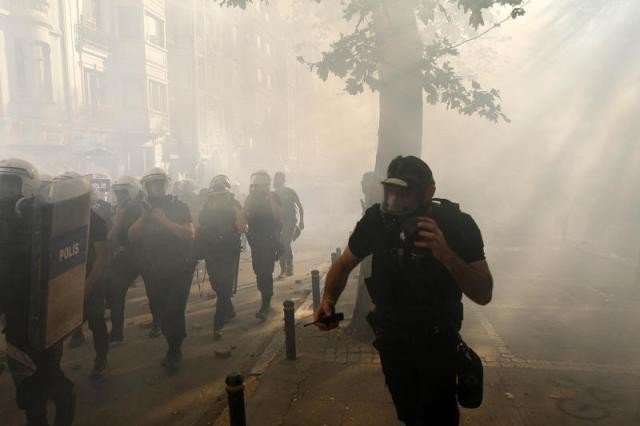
(418, 311)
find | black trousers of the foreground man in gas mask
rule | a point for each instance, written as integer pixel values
(421, 377)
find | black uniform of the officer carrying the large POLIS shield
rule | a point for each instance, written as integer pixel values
(36, 373)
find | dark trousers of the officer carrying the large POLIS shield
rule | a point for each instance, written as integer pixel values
(34, 390)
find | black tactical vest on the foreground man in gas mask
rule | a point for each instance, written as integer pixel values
(409, 286)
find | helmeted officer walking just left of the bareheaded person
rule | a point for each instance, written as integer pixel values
(263, 214)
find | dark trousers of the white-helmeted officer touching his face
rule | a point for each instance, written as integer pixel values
(168, 293)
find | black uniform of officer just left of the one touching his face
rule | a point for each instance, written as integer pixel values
(124, 269)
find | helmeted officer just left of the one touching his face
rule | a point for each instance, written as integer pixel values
(124, 263)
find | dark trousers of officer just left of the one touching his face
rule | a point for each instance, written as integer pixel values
(123, 273)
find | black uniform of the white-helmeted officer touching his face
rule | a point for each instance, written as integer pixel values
(167, 266)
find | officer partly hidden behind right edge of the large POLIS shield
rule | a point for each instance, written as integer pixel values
(95, 287)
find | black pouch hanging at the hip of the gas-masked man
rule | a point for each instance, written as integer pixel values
(470, 376)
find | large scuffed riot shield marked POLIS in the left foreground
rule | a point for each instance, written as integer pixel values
(58, 260)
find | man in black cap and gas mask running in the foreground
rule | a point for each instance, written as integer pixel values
(426, 254)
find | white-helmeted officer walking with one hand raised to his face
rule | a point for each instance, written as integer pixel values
(164, 233)
